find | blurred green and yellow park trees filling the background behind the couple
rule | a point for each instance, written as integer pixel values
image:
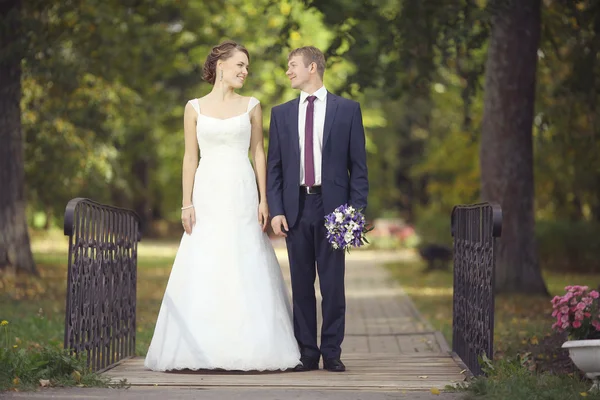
(104, 83)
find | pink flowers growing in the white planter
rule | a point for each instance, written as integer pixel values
(577, 313)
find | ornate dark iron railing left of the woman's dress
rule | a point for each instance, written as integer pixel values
(101, 287)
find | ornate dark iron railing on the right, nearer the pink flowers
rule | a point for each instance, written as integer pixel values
(474, 228)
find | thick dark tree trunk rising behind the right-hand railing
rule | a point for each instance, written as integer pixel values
(506, 153)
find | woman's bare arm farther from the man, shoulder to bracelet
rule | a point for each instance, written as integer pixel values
(190, 156)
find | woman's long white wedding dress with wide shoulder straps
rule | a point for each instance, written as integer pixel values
(226, 305)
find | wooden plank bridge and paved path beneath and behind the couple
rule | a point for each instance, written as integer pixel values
(388, 346)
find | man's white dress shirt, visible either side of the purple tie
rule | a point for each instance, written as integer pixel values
(320, 104)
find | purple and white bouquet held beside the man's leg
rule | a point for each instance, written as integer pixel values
(346, 228)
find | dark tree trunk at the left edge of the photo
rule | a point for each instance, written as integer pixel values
(15, 249)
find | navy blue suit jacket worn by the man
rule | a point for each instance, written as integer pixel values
(344, 177)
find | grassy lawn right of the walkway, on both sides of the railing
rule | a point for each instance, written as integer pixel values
(528, 360)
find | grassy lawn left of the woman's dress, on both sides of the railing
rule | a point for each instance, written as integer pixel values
(35, 307)
